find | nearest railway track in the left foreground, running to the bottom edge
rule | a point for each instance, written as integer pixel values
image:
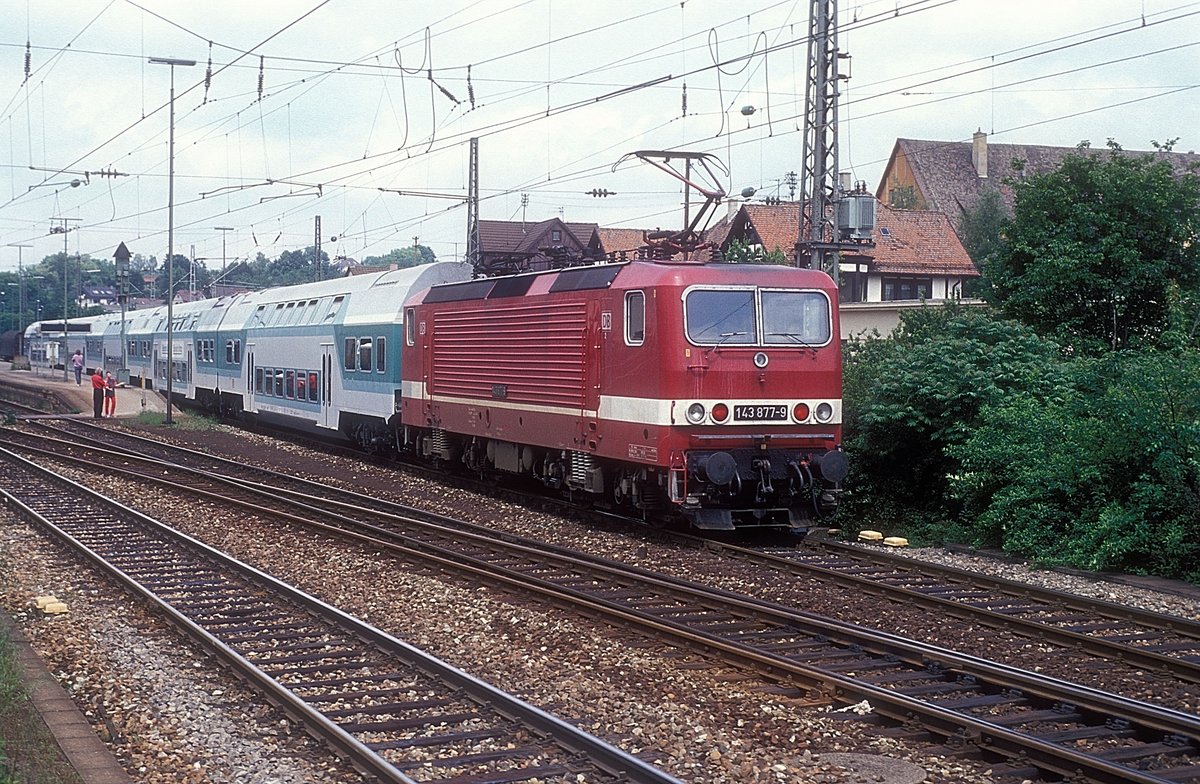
(386, 707)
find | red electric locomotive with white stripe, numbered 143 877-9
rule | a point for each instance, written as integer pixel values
(706, 391)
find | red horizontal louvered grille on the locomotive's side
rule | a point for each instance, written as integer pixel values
(521, 354)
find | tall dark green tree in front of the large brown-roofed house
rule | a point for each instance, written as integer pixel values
(1094, 248)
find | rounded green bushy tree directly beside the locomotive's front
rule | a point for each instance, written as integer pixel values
(911, 399)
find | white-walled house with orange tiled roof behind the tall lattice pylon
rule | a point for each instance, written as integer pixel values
(917, 259)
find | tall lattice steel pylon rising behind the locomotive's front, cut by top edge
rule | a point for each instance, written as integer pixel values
(819, 179)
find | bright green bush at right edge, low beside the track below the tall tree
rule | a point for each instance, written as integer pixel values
(1106, 477)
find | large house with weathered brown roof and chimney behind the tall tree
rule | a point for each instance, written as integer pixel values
(950, 177)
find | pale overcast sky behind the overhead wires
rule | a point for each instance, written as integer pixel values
(314, 106)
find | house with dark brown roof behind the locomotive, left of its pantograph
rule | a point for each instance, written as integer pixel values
(520, 247)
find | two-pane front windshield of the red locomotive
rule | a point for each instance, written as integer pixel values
(757, 318)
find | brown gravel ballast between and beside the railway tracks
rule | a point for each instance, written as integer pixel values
(171, 717)
